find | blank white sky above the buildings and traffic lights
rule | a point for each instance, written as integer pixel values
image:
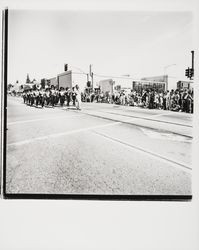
(115, 43)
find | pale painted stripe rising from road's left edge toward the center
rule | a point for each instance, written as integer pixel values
(60, 134)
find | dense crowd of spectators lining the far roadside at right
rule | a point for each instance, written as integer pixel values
(174, 100)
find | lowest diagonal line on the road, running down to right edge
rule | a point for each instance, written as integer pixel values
(176, 164)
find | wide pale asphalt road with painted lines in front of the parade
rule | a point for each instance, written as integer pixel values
(102, 149)
